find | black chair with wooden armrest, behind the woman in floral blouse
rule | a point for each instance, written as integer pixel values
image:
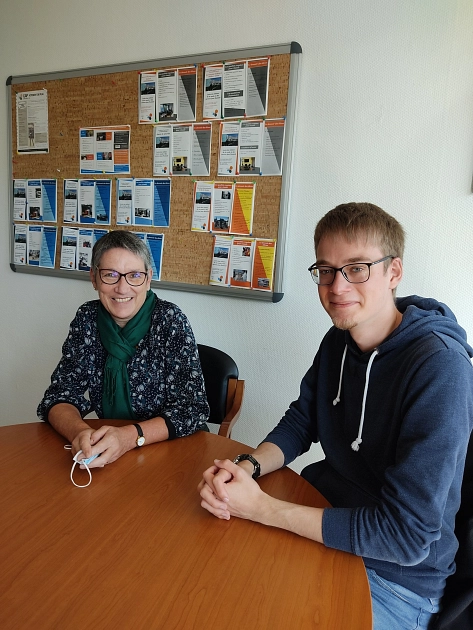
(224, 388)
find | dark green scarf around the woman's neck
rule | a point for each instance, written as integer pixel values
(120, 344)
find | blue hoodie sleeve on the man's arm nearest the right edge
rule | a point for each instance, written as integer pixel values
(421, 491)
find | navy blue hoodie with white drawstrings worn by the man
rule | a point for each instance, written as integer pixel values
(394, 424)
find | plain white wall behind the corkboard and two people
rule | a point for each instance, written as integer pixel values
(385, 115)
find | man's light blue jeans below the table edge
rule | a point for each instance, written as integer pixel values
(397, 608)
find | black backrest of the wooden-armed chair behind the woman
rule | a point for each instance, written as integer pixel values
(217, 368)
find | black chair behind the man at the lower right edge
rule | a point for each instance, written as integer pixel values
(456, 611)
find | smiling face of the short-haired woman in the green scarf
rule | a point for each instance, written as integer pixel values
(121, 300)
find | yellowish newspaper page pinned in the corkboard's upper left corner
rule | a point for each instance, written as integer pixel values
(32, 131)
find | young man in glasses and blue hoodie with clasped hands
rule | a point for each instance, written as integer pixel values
(390, 398)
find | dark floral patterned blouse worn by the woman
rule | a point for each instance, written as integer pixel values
(165, 374)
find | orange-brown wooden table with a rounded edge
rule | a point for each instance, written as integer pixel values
(135, 550)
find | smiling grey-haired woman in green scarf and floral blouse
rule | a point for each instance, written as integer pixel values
(133, 353)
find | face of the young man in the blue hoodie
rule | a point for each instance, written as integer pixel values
(366, 309)
